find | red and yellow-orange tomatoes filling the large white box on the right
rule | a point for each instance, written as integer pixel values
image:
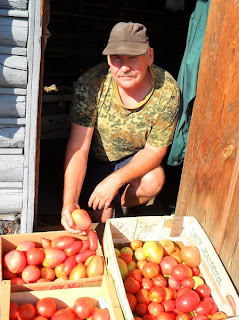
(163, 281)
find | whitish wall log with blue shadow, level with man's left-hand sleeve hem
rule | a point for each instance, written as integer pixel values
(12, 137)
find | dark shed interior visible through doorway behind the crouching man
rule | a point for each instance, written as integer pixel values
(79, 32)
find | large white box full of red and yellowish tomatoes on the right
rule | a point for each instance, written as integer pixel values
(165, 268)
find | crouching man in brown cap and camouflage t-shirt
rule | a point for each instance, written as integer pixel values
(123, 120)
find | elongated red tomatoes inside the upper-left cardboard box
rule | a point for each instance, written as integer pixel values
(62, 258)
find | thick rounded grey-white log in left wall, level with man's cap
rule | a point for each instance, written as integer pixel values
(14, 31)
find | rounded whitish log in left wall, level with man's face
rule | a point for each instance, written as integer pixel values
(13, 71)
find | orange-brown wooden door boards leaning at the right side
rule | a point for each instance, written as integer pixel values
(209, 183)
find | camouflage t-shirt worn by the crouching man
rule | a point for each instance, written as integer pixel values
(120, 131)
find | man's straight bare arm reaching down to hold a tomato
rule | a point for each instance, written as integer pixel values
(75, 168)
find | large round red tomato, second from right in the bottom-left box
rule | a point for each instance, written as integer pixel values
(84, 307)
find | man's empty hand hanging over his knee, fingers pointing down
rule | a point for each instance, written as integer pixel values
(104, 193)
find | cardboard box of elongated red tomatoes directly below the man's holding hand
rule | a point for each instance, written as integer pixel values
(52, 260)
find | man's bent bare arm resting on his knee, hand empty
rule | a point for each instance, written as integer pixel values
(143, 162)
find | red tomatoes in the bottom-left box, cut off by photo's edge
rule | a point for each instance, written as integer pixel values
(45, 309)
